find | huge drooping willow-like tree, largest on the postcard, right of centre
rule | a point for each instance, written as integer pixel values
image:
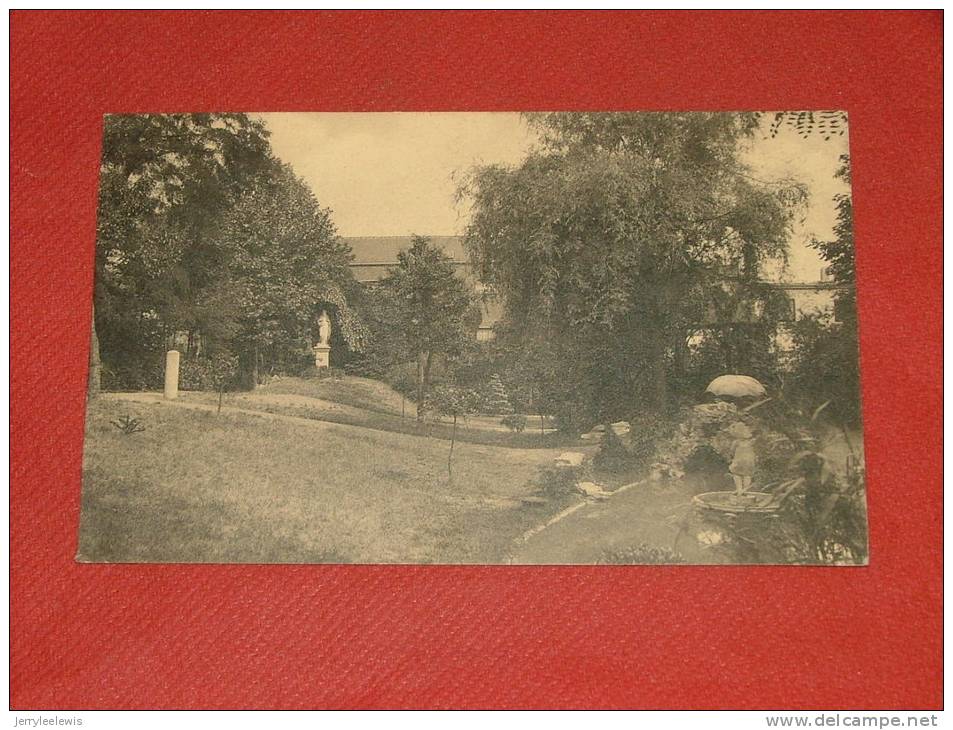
(609, 238)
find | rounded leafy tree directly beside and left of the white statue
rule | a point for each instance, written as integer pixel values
(283, 264)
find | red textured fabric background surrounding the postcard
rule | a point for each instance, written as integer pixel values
(99, 636)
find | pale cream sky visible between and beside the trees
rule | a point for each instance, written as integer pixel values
(395, 173)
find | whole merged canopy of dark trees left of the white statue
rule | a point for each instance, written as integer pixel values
(203, 233)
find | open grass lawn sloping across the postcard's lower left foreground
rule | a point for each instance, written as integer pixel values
(237, 487)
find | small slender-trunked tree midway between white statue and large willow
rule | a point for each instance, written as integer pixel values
(434, 309)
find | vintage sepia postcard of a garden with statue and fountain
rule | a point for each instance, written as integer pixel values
(490, 338)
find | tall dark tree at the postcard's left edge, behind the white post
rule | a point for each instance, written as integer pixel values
(164, 181)
